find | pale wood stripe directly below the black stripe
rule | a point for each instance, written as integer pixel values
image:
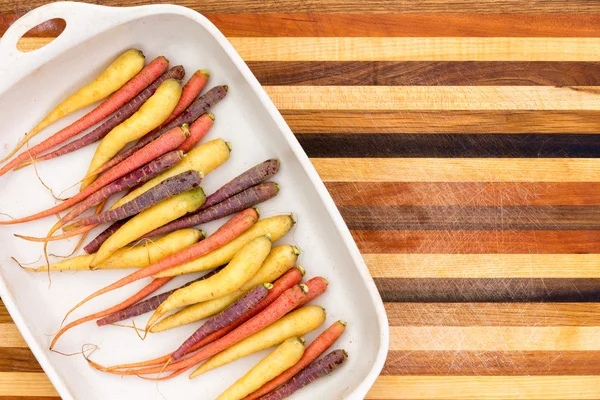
(457, 170)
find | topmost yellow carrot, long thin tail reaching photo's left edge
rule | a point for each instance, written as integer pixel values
(125, 67)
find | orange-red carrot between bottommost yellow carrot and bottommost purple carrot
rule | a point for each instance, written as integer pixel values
(323, 342)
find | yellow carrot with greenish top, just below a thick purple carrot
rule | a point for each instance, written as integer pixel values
(149, 219)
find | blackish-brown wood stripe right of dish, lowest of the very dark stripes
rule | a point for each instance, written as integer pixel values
(488, 290)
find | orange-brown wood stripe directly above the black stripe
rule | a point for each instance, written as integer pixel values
(322, 121)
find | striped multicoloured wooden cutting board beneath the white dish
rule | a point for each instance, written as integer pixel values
(460, 141)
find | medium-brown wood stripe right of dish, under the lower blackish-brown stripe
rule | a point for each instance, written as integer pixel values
(493, 314)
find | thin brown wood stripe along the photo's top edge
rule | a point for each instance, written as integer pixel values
(355, 7)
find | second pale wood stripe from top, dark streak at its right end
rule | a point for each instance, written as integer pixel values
(444, 98)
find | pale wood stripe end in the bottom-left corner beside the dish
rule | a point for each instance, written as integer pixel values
(25, 384)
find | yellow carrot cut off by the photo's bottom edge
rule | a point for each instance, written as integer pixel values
(280, 359)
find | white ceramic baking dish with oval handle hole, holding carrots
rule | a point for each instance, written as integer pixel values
(30, 83)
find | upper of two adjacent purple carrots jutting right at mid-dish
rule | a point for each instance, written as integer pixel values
(255, 175)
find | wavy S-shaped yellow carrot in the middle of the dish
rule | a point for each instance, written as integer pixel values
(241, 268)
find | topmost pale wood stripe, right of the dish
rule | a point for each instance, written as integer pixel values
(417, 49)
